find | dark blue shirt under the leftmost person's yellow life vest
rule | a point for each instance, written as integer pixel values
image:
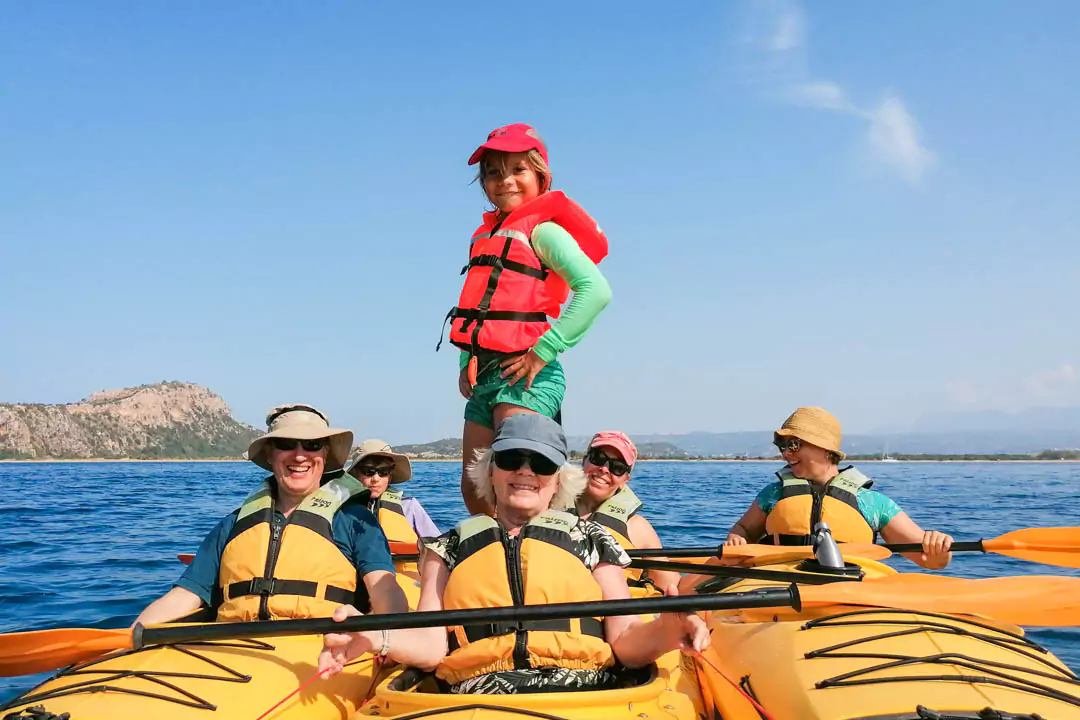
(356, 533)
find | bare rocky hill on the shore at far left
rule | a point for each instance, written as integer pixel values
(163, 420)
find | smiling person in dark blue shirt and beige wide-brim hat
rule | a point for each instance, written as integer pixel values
(328, 547)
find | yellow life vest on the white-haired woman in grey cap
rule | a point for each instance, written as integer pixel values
(539, 568)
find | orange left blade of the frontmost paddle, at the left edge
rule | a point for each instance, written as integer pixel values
(26, 654)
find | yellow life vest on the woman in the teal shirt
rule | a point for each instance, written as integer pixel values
(804, 504)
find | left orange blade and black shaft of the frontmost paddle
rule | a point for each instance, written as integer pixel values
(26, 654)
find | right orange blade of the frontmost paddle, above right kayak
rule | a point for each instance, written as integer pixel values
(1039, 601)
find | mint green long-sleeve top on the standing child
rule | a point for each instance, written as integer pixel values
(559, 251)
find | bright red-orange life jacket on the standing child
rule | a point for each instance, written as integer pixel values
(509, 294)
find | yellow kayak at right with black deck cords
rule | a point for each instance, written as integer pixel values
(839, 662)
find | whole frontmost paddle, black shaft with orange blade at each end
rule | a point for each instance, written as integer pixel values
(1038, 601)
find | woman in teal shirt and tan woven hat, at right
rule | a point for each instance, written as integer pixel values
(814, 488)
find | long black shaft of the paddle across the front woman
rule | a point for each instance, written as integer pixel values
(786, 597)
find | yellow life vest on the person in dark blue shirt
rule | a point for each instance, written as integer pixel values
(272, 572)
